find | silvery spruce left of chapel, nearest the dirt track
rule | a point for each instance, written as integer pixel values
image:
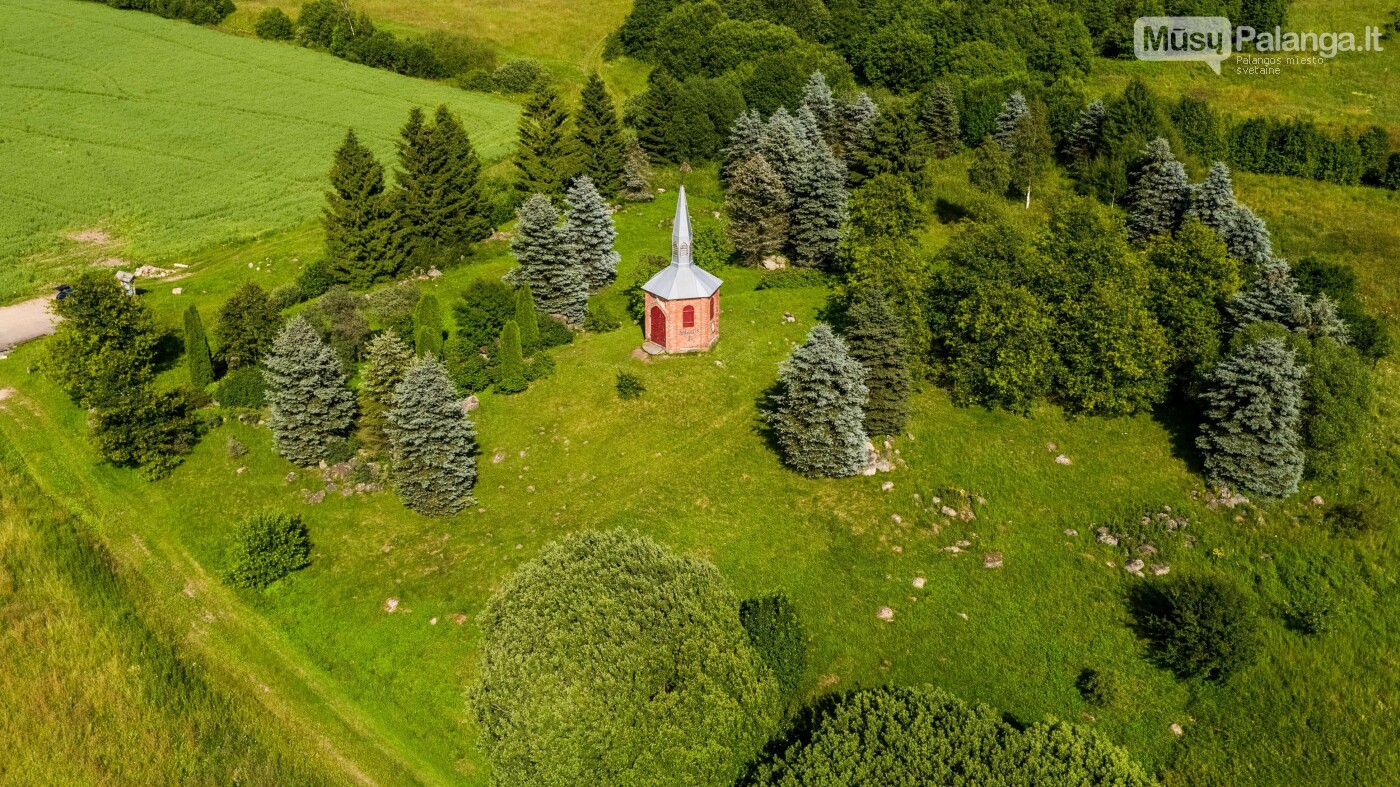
(307, 394)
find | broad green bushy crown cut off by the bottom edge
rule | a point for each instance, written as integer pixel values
(891, 737)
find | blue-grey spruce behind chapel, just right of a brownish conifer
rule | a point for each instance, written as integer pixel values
(820, 212)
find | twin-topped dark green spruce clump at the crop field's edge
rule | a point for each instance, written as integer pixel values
(440, 197)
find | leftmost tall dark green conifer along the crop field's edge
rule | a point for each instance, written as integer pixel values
(365, 237)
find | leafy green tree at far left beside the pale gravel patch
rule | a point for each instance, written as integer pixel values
(106, 344)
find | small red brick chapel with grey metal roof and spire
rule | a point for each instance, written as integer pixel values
(682, 300)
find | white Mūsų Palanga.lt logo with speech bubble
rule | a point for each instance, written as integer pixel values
(1213, 40)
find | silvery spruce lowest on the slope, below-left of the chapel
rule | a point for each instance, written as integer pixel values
(435, 443)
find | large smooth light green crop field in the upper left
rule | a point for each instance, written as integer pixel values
(174, 138)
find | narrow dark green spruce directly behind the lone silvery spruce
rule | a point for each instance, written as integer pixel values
(877, 342)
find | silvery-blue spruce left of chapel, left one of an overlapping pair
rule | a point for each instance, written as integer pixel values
(547, 261)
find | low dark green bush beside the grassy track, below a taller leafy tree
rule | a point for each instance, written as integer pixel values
(146, 429)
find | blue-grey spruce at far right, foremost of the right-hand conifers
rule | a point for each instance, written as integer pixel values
(1251, 438)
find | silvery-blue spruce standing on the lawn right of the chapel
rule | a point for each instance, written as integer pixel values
(817, 412)
